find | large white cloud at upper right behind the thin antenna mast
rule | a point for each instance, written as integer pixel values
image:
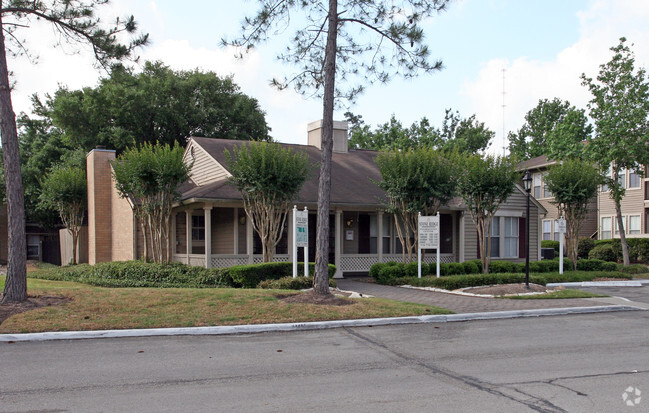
(527, 81)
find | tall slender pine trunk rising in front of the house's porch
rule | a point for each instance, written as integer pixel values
(321, 276)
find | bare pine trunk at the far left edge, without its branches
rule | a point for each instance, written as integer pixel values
(16, 281)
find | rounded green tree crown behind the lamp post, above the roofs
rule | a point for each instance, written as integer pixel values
(553, 128)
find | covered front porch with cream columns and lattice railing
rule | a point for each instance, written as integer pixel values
(210, 235)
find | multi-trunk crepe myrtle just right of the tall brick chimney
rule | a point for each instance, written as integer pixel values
(149, 177)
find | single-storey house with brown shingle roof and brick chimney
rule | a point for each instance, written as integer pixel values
(209, 226)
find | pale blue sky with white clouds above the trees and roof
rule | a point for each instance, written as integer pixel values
(500, 58)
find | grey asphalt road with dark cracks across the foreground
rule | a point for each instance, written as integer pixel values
(580, 363)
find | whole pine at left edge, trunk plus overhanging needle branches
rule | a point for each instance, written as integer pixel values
(74, 22)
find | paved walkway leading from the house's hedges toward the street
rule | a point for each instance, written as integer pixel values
(459, 303)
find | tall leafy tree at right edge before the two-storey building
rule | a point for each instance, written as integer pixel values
(620, 111)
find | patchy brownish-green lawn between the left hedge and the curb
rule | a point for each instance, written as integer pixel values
(98, 308)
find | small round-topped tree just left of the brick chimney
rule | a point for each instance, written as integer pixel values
(65, 191)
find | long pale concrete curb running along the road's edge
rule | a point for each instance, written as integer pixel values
(317, 325)
